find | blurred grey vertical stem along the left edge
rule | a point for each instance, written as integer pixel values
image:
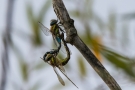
(6, 40)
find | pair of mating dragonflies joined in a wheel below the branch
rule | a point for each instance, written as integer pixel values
(50, 56)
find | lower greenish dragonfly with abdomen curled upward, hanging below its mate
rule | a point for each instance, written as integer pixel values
(50, 57)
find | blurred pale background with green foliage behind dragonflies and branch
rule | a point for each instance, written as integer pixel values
(106, 27)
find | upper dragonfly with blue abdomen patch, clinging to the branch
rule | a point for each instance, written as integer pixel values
(56, 31)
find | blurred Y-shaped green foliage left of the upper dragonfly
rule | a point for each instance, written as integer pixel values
(33, 20)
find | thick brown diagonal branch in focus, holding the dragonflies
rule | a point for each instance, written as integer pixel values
(75, 40)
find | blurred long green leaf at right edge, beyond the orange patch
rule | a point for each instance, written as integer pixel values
(119, 61)
